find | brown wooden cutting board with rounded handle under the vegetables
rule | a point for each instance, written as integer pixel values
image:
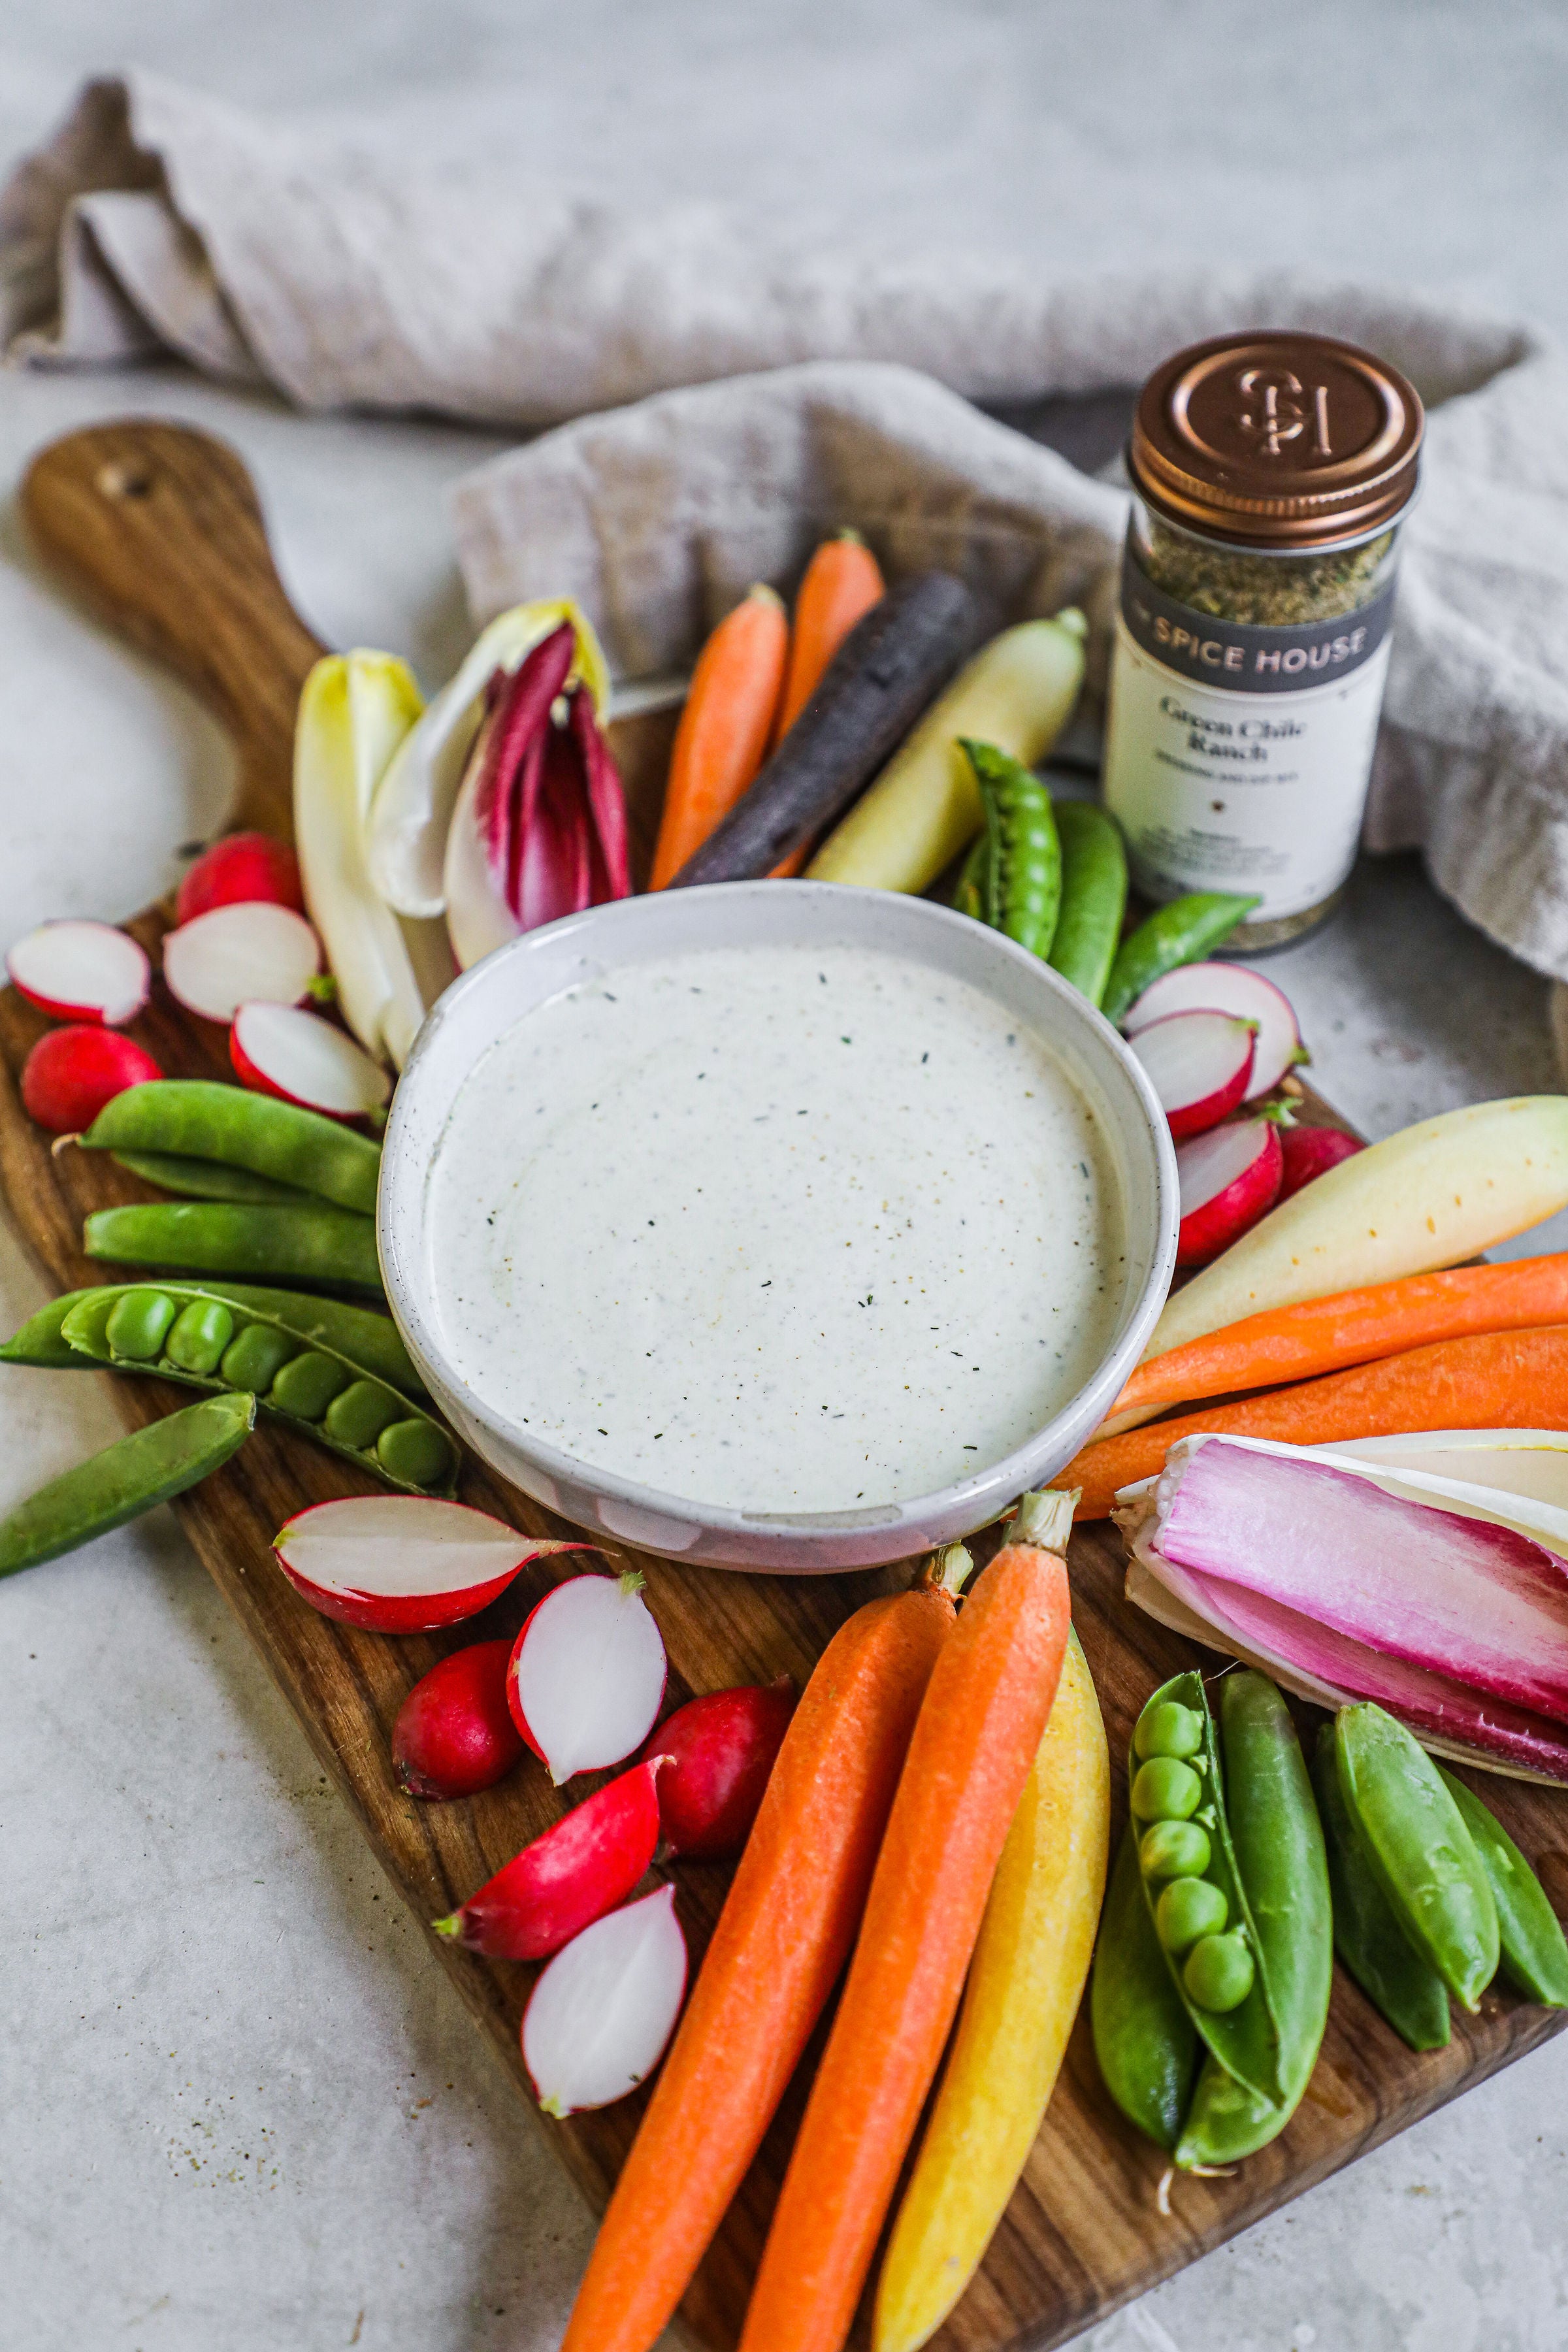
(161, 533)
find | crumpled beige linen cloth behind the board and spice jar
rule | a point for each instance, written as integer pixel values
(737, 389)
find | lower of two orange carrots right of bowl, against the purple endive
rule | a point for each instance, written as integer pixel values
(1485, 1382)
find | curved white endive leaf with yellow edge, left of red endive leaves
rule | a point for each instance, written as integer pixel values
(417, 796)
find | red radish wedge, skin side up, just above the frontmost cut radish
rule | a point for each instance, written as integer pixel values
(568, 1878)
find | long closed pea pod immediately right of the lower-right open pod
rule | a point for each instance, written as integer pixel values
(1285, 1871)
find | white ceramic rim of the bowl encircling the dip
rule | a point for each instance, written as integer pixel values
(403, 1196)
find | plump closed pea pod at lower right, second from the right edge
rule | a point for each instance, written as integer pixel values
(1419, 1847)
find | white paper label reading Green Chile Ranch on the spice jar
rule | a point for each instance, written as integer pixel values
(1242, 787)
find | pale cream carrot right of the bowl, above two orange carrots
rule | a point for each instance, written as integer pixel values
(1430, 1196)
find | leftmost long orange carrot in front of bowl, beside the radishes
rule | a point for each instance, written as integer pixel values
(779, 1946)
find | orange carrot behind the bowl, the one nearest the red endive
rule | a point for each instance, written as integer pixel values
(725, 728)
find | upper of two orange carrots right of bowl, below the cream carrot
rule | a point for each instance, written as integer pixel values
(1327, 1335)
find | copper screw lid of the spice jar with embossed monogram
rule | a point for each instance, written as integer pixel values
(1278, 441)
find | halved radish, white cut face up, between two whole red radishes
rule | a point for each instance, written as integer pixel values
(589, 1676)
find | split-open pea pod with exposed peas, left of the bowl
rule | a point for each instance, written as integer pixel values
(225, 1342)
